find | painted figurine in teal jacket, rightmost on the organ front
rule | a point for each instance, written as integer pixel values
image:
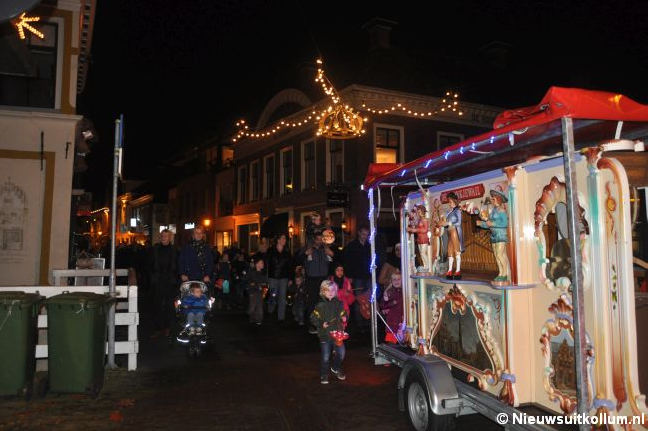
(497, 222)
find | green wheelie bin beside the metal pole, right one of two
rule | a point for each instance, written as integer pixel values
(77, 325)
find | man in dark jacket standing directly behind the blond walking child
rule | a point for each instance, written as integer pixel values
(315, 259)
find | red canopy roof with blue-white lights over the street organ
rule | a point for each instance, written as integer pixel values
(557, 103)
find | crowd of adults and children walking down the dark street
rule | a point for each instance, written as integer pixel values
(329, 288)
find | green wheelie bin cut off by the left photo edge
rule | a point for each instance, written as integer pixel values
(18, 335)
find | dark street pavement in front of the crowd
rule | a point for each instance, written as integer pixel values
(255, 378)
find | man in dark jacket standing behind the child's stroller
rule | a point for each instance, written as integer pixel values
(196, 261)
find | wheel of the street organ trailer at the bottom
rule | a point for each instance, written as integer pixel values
(419, 416)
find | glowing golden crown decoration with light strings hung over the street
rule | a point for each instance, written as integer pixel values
(339, 121)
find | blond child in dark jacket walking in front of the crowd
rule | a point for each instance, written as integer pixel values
(329, 315)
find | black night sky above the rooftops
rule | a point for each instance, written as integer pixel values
(181, 71)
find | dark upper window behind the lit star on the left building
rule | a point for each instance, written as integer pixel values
(32, 81)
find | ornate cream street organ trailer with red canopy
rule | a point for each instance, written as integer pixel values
(519, 302)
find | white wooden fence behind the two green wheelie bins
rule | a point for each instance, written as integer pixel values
(126, 310)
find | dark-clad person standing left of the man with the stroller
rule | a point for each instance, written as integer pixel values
(164, 281)
